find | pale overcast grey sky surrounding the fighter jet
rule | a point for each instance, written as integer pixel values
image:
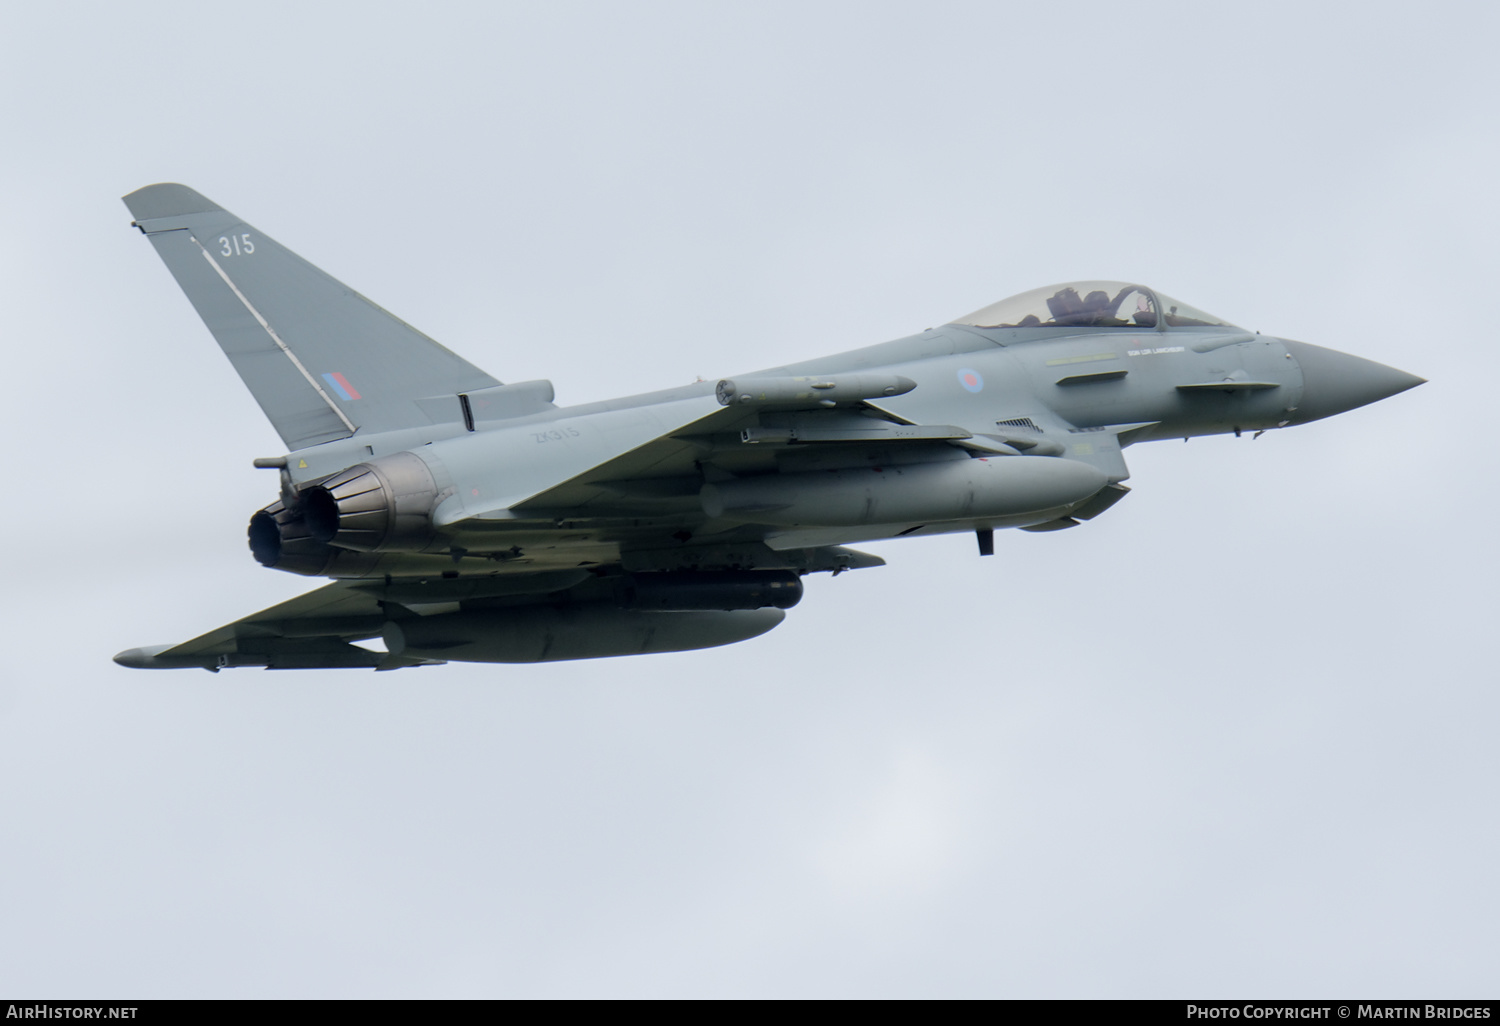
(1237, 737)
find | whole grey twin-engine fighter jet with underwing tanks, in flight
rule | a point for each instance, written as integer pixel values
(469, 520)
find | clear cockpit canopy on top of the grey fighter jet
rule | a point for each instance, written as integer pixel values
(1091, 305)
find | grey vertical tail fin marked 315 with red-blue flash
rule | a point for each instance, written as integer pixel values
(320, 359)
